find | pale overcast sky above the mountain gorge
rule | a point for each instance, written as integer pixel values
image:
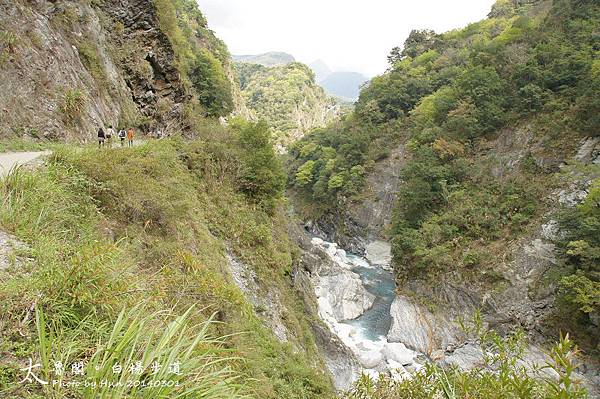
(346, 34)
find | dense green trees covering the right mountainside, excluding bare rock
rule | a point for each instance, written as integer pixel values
(531, 66)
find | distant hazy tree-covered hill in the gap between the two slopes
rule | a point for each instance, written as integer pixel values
(287, 98)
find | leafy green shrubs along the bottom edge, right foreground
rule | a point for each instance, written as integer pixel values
(501, 376)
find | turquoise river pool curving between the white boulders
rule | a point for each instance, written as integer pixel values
(376, 321)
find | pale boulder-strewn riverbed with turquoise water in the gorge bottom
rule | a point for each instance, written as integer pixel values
(354, 296)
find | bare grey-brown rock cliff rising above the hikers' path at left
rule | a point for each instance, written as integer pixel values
(69, 67)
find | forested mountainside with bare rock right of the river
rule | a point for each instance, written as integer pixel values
(490, 137)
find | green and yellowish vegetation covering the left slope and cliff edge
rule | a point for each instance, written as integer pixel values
(127, 251)
